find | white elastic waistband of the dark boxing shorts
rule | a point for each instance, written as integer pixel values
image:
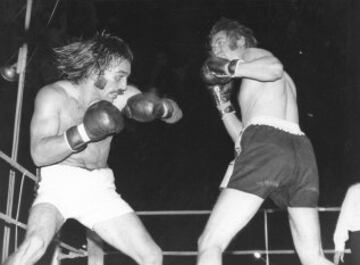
(287, 126)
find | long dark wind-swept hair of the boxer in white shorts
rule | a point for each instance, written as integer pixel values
(81, 59)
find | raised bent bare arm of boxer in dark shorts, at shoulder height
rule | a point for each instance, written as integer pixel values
(259, 65)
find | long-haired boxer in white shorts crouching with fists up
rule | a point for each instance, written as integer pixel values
(72, 126)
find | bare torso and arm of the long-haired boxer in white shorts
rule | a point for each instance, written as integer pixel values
(60, 106)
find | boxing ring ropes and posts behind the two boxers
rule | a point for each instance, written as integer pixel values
(94, 251)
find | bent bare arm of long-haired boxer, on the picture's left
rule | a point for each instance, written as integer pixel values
(47, 143)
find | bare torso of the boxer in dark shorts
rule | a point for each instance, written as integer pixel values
(275, 99)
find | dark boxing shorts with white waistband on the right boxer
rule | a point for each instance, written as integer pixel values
(277, 161)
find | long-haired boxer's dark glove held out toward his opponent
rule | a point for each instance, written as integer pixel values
(147, 107)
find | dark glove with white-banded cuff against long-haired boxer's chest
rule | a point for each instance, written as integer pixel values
(101, 119)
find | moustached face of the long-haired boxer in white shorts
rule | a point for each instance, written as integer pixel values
(116, 80)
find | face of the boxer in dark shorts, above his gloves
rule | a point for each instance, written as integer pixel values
(222, 46)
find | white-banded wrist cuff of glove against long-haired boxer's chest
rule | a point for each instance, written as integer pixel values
(76, 138)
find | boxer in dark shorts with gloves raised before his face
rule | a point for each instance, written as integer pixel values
(273, 159)
